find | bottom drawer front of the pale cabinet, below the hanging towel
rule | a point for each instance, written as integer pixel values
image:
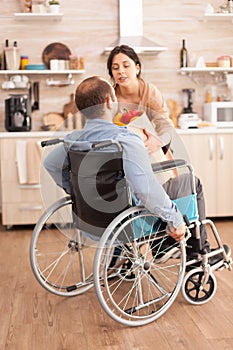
(21, 213)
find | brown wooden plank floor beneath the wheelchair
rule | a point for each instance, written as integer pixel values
(33, 319)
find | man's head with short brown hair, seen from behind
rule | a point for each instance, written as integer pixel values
(94, 97)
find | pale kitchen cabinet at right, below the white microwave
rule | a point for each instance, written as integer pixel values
(211, 155)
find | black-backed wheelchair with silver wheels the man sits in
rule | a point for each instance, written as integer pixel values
(97, 238)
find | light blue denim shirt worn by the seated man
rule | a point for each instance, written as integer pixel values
(136, 163)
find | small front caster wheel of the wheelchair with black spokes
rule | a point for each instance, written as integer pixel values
(193, 289)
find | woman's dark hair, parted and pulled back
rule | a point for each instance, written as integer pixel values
(126, 50)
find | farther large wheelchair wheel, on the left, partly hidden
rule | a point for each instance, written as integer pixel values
(61, 258)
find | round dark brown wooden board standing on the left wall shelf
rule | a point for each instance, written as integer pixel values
(57, 51)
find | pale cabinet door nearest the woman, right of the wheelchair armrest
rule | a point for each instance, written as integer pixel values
(202, 152)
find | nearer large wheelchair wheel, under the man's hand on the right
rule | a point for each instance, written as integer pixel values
(138, 268)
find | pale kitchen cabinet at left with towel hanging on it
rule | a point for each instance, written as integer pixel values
(23, 204)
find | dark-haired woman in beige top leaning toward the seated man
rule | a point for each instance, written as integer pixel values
(132, 92)
